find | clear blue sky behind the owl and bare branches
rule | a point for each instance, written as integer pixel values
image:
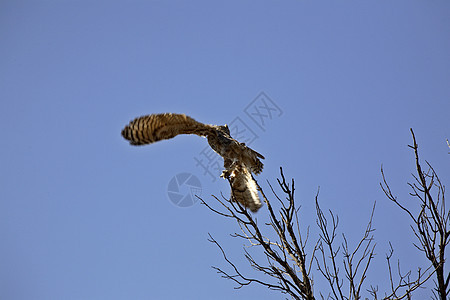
(83, 215)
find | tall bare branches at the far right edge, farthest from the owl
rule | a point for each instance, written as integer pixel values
(431, 223)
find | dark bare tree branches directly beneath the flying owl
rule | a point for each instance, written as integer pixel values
(286, 256)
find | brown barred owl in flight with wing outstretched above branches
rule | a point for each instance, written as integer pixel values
(239, 160)
